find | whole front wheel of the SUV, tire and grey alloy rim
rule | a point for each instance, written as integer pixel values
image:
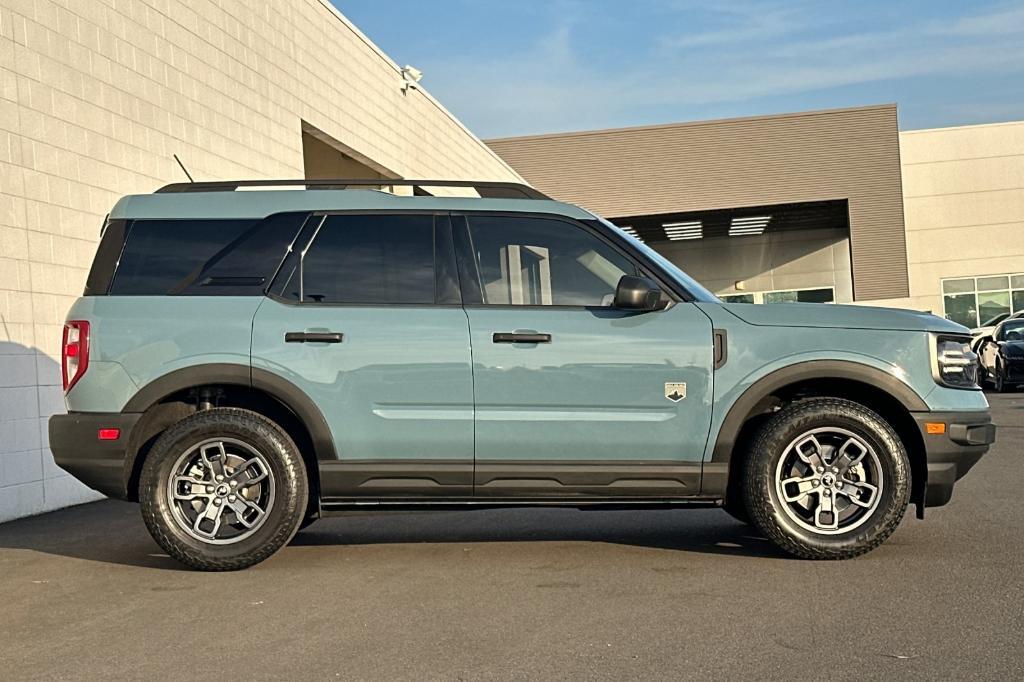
(827, 479)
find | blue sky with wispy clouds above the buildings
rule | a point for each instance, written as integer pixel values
(514, 68)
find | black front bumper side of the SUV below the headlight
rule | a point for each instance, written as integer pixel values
(965, 438)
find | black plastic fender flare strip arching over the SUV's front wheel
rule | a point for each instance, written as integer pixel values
(730, 432)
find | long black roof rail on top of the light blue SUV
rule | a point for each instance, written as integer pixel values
(487, 190)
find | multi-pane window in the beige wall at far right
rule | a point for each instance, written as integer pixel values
(982, 302)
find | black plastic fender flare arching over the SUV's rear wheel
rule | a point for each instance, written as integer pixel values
(275, 386)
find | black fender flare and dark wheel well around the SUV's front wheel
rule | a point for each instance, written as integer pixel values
(889, 397)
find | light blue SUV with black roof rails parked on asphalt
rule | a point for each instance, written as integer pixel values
(250, 357)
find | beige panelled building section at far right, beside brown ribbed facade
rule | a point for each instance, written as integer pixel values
(964, 206)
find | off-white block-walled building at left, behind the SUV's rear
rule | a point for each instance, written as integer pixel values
(96, 99)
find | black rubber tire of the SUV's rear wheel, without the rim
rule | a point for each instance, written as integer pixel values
(282, 519)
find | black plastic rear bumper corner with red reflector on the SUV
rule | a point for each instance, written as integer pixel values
(103, 465)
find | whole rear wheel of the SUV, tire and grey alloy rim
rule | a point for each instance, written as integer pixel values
(224, 490)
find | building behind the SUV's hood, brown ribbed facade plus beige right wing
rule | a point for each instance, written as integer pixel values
(820, 206)
